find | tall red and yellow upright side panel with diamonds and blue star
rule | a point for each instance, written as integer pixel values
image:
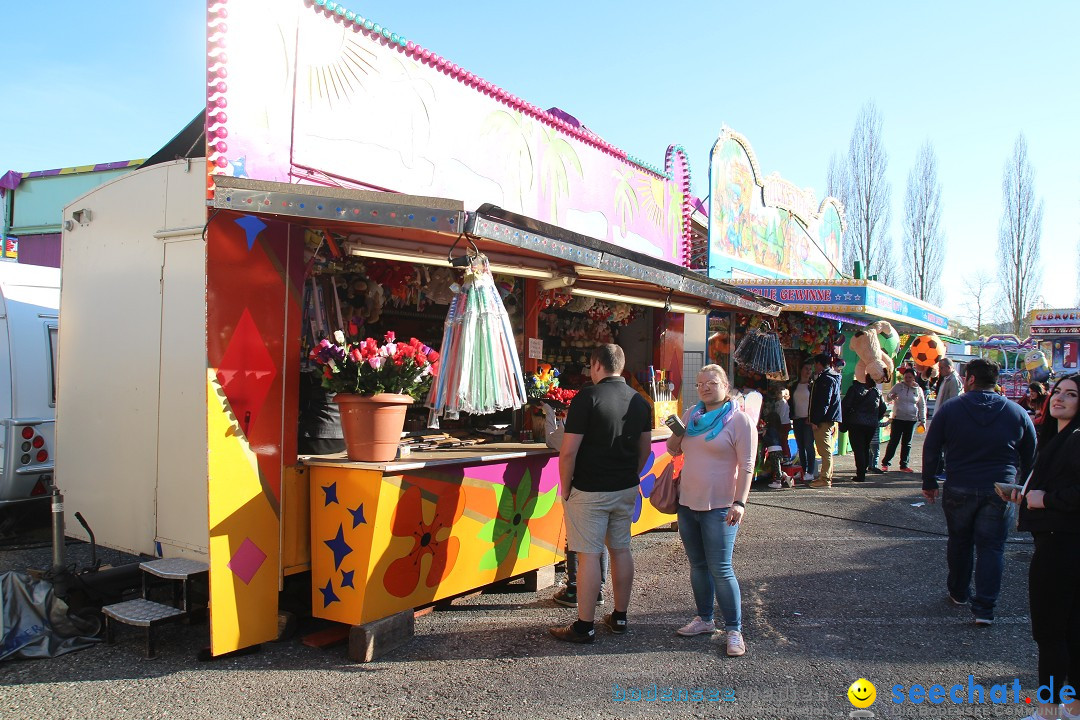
(253, 270)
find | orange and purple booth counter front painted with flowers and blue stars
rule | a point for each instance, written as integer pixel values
(386, 544)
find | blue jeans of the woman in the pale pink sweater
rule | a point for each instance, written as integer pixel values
(709, 541)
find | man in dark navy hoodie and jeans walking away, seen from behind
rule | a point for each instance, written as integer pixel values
(987, 440)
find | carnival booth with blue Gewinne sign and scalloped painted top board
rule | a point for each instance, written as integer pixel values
(773, 238)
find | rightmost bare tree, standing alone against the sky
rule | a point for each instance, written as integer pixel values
(1020, 238)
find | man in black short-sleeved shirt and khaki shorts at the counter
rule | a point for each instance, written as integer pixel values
(607, 443)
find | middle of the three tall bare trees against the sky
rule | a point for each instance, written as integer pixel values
(924, 252)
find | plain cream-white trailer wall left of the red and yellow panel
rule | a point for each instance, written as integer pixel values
(131, 433)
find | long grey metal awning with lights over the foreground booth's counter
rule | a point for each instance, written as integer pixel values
(430, 230)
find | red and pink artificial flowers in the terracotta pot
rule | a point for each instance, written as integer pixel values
(366, 368)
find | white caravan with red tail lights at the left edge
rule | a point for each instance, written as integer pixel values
(30, 322)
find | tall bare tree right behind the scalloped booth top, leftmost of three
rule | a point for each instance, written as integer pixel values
(869, 198)
